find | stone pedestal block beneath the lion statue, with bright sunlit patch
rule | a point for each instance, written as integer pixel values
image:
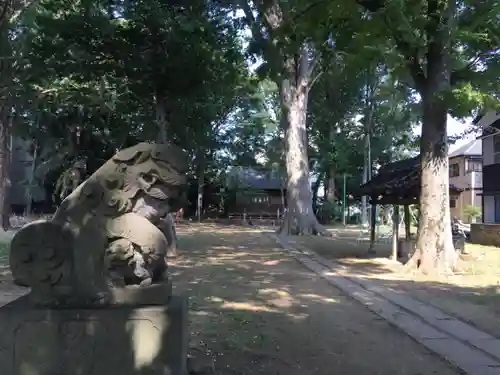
(117, 339)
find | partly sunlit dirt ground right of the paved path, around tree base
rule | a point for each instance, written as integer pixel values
(472, 295)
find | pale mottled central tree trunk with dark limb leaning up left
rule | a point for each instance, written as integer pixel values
(294, 74)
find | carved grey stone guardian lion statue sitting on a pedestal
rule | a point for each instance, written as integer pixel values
(105, 234)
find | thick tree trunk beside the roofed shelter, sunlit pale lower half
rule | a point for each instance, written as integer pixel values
(435, 252)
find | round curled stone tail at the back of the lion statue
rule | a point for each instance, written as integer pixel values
(40, 255)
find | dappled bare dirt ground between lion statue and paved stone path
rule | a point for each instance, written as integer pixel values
(255, 310)
